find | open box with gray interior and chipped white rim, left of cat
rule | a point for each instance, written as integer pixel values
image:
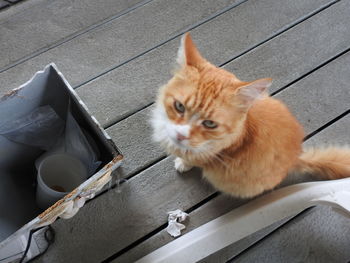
(18, 211)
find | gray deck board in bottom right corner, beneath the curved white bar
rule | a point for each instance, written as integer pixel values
(321, 237)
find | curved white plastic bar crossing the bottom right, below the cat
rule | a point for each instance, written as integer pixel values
(247, 219)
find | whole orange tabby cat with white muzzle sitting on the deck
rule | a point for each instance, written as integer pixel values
(245, 141)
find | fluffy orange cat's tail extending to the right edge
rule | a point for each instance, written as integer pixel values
(325, 163)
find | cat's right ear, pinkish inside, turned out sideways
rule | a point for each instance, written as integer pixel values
(253, 91)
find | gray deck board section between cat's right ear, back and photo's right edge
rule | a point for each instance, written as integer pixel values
(325, 93)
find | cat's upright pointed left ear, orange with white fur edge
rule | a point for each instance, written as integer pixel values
(188, 53)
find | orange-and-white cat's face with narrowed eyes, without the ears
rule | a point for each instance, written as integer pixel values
(197, 112)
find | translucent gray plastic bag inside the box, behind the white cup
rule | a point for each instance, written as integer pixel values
(44, 129)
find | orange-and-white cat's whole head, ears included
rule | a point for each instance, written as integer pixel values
(202, 109)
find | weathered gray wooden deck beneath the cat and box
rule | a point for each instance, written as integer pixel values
(117, 54)
